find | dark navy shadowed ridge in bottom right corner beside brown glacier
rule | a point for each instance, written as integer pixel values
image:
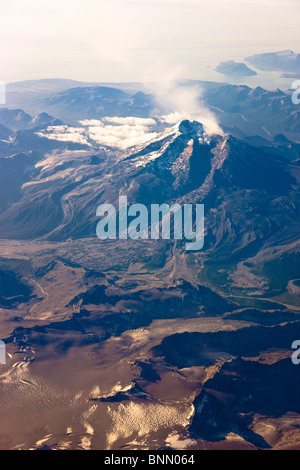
(238, 391)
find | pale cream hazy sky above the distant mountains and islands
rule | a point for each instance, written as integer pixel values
(133, 40)
